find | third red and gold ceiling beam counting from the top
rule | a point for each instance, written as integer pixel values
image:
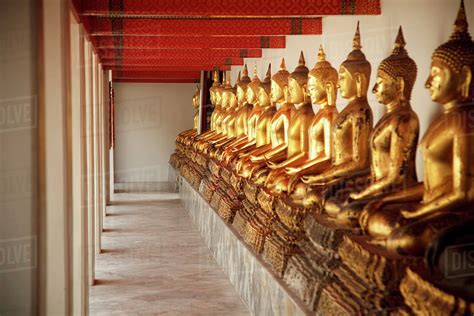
(186, 42)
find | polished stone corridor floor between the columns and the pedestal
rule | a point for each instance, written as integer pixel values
(155, 262)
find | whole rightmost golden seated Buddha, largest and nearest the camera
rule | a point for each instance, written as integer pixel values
(406, 221)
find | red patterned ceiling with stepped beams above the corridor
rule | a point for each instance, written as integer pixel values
(172, 40)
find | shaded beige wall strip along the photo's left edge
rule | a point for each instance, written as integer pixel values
(18, 156)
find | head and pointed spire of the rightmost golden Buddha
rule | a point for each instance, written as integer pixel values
(450, 78)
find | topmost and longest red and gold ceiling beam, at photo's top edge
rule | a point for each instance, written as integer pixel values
(232, 8)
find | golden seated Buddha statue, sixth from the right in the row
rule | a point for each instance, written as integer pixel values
(255, 160)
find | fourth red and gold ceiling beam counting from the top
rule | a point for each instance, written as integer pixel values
(127, 54)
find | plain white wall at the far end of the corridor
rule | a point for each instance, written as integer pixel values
(148, 118)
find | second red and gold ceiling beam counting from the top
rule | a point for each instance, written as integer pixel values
(203, 26)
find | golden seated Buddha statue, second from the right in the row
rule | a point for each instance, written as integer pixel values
(394, 139)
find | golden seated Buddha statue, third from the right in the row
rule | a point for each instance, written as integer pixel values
(351, 128)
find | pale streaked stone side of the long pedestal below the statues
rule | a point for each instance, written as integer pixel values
(261, 291)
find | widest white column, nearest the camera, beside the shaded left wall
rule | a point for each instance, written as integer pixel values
(54, 288)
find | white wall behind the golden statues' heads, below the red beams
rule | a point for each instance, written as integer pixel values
(426, 25)
